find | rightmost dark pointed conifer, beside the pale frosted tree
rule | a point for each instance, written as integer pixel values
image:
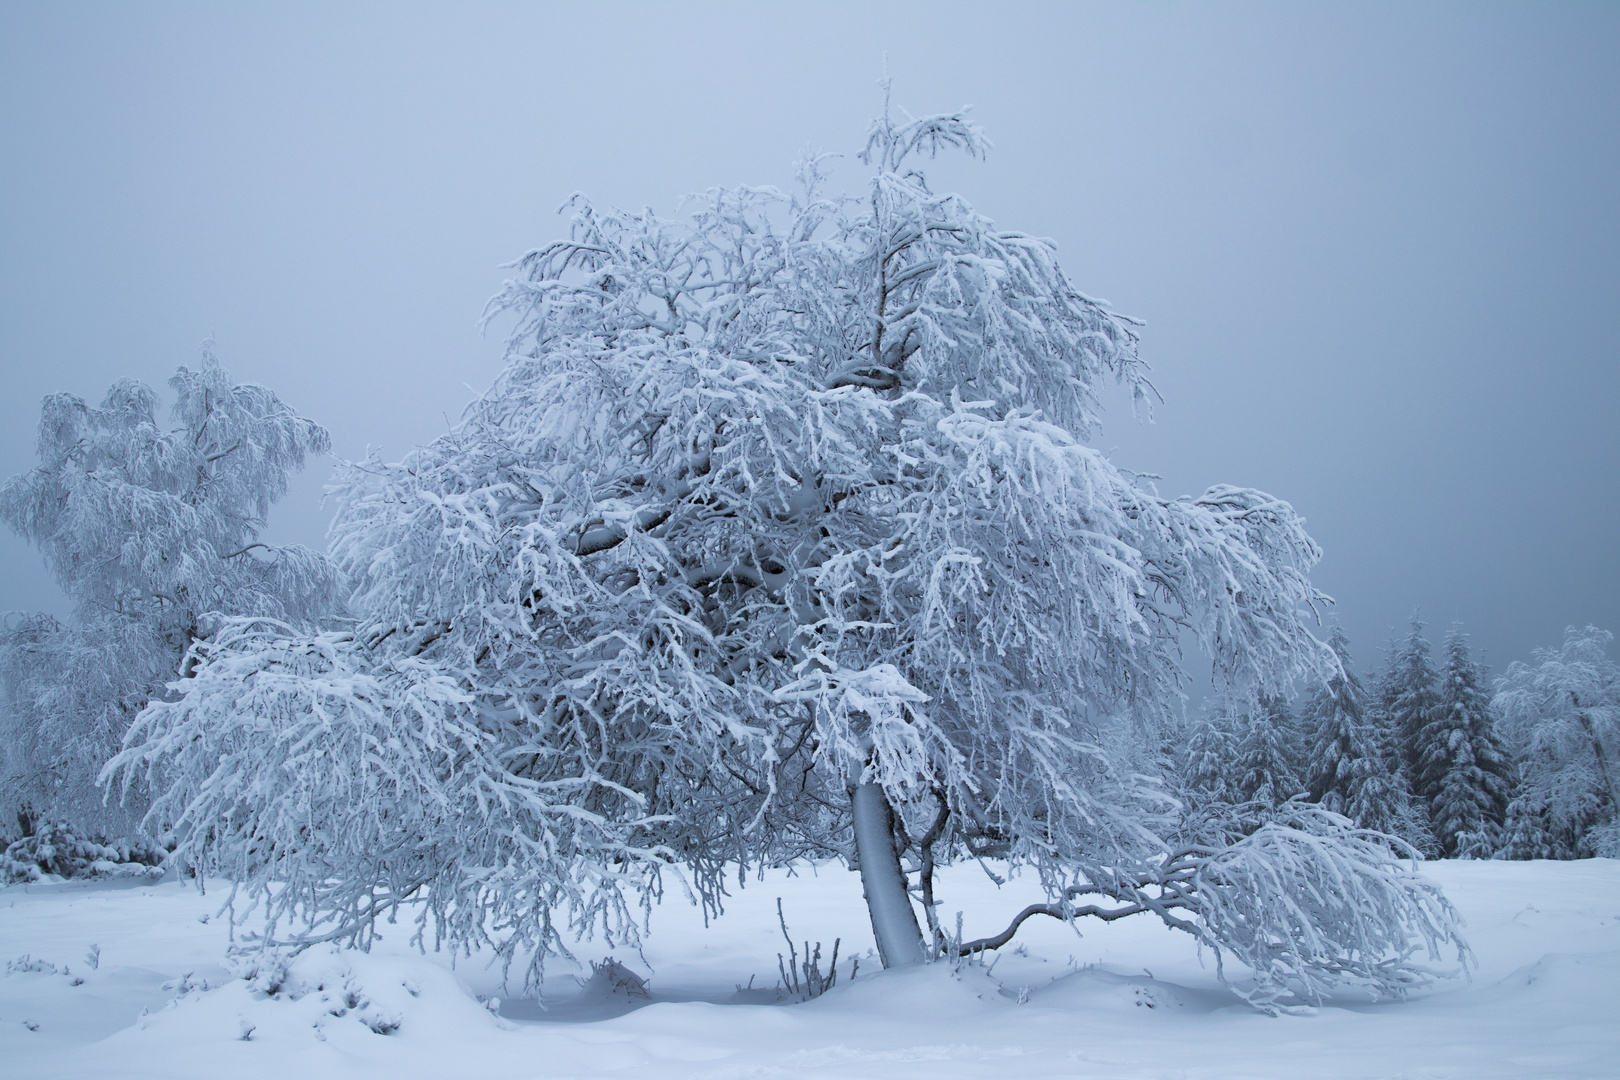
(1464, 762)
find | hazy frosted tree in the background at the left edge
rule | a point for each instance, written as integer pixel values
(148, 530)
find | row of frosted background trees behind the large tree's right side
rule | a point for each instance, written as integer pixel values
(1431, 752)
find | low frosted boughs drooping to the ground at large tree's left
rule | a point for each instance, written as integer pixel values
(360, 784)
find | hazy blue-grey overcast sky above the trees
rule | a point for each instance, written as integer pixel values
(1378, 247)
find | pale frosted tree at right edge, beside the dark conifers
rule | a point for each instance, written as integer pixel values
(1561, 715)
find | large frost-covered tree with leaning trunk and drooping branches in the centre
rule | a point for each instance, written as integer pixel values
(780, 535)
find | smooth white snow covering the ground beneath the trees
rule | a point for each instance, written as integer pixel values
(132, 982)
